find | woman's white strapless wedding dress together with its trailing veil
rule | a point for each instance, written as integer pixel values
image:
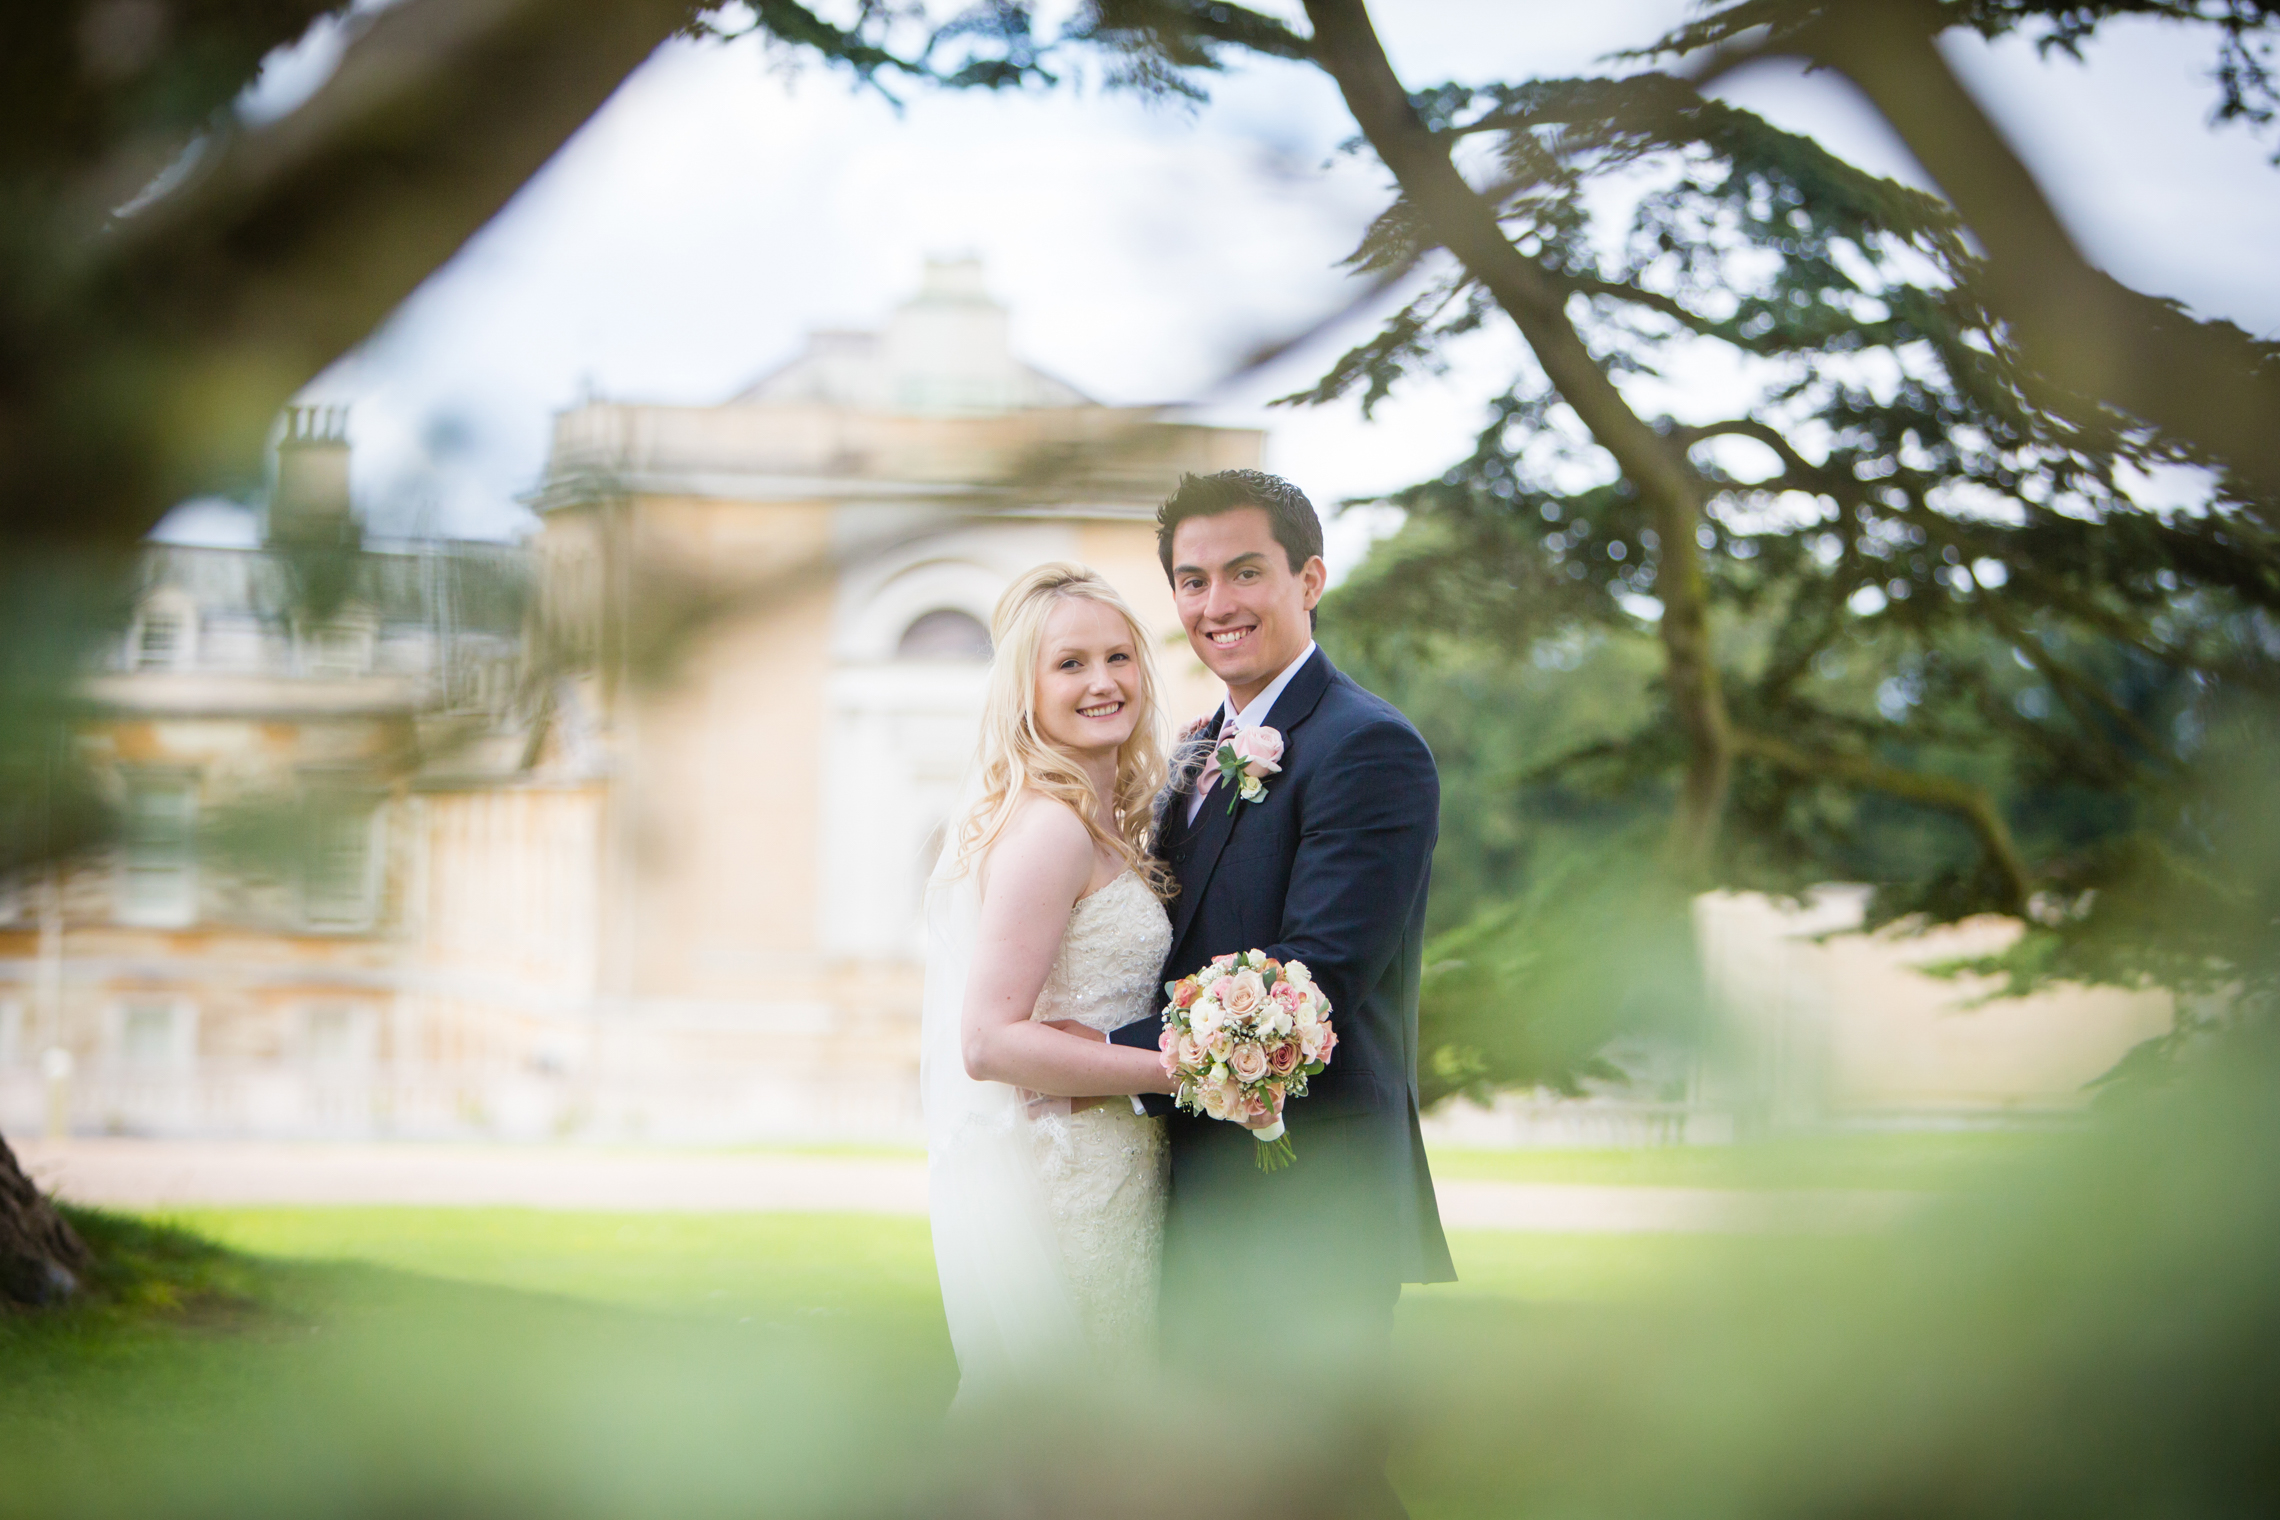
(1048, 1225)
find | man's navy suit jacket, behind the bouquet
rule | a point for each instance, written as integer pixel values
(1328, 869)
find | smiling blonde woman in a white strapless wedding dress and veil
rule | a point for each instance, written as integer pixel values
(1045, 933)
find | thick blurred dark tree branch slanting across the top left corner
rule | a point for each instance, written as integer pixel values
(188, 325)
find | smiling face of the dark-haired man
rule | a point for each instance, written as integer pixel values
(1241, 603)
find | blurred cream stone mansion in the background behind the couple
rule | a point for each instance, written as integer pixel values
(621, 833)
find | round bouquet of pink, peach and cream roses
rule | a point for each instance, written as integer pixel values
(1244, 1036)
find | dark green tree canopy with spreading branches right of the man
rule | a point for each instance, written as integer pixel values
(2065, 607)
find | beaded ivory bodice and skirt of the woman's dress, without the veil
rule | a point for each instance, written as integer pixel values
(1107, 1168)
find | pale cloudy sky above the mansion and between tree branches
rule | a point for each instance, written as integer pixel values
(717, 211)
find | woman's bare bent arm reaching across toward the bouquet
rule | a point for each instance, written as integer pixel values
(1036, 874)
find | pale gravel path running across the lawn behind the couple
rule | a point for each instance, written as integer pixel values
(213, 1172)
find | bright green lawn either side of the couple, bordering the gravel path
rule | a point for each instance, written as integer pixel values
(284, 1362)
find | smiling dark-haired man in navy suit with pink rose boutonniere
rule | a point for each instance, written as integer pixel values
(1330, 867)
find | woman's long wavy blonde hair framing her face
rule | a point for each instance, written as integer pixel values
(1018, 758)
